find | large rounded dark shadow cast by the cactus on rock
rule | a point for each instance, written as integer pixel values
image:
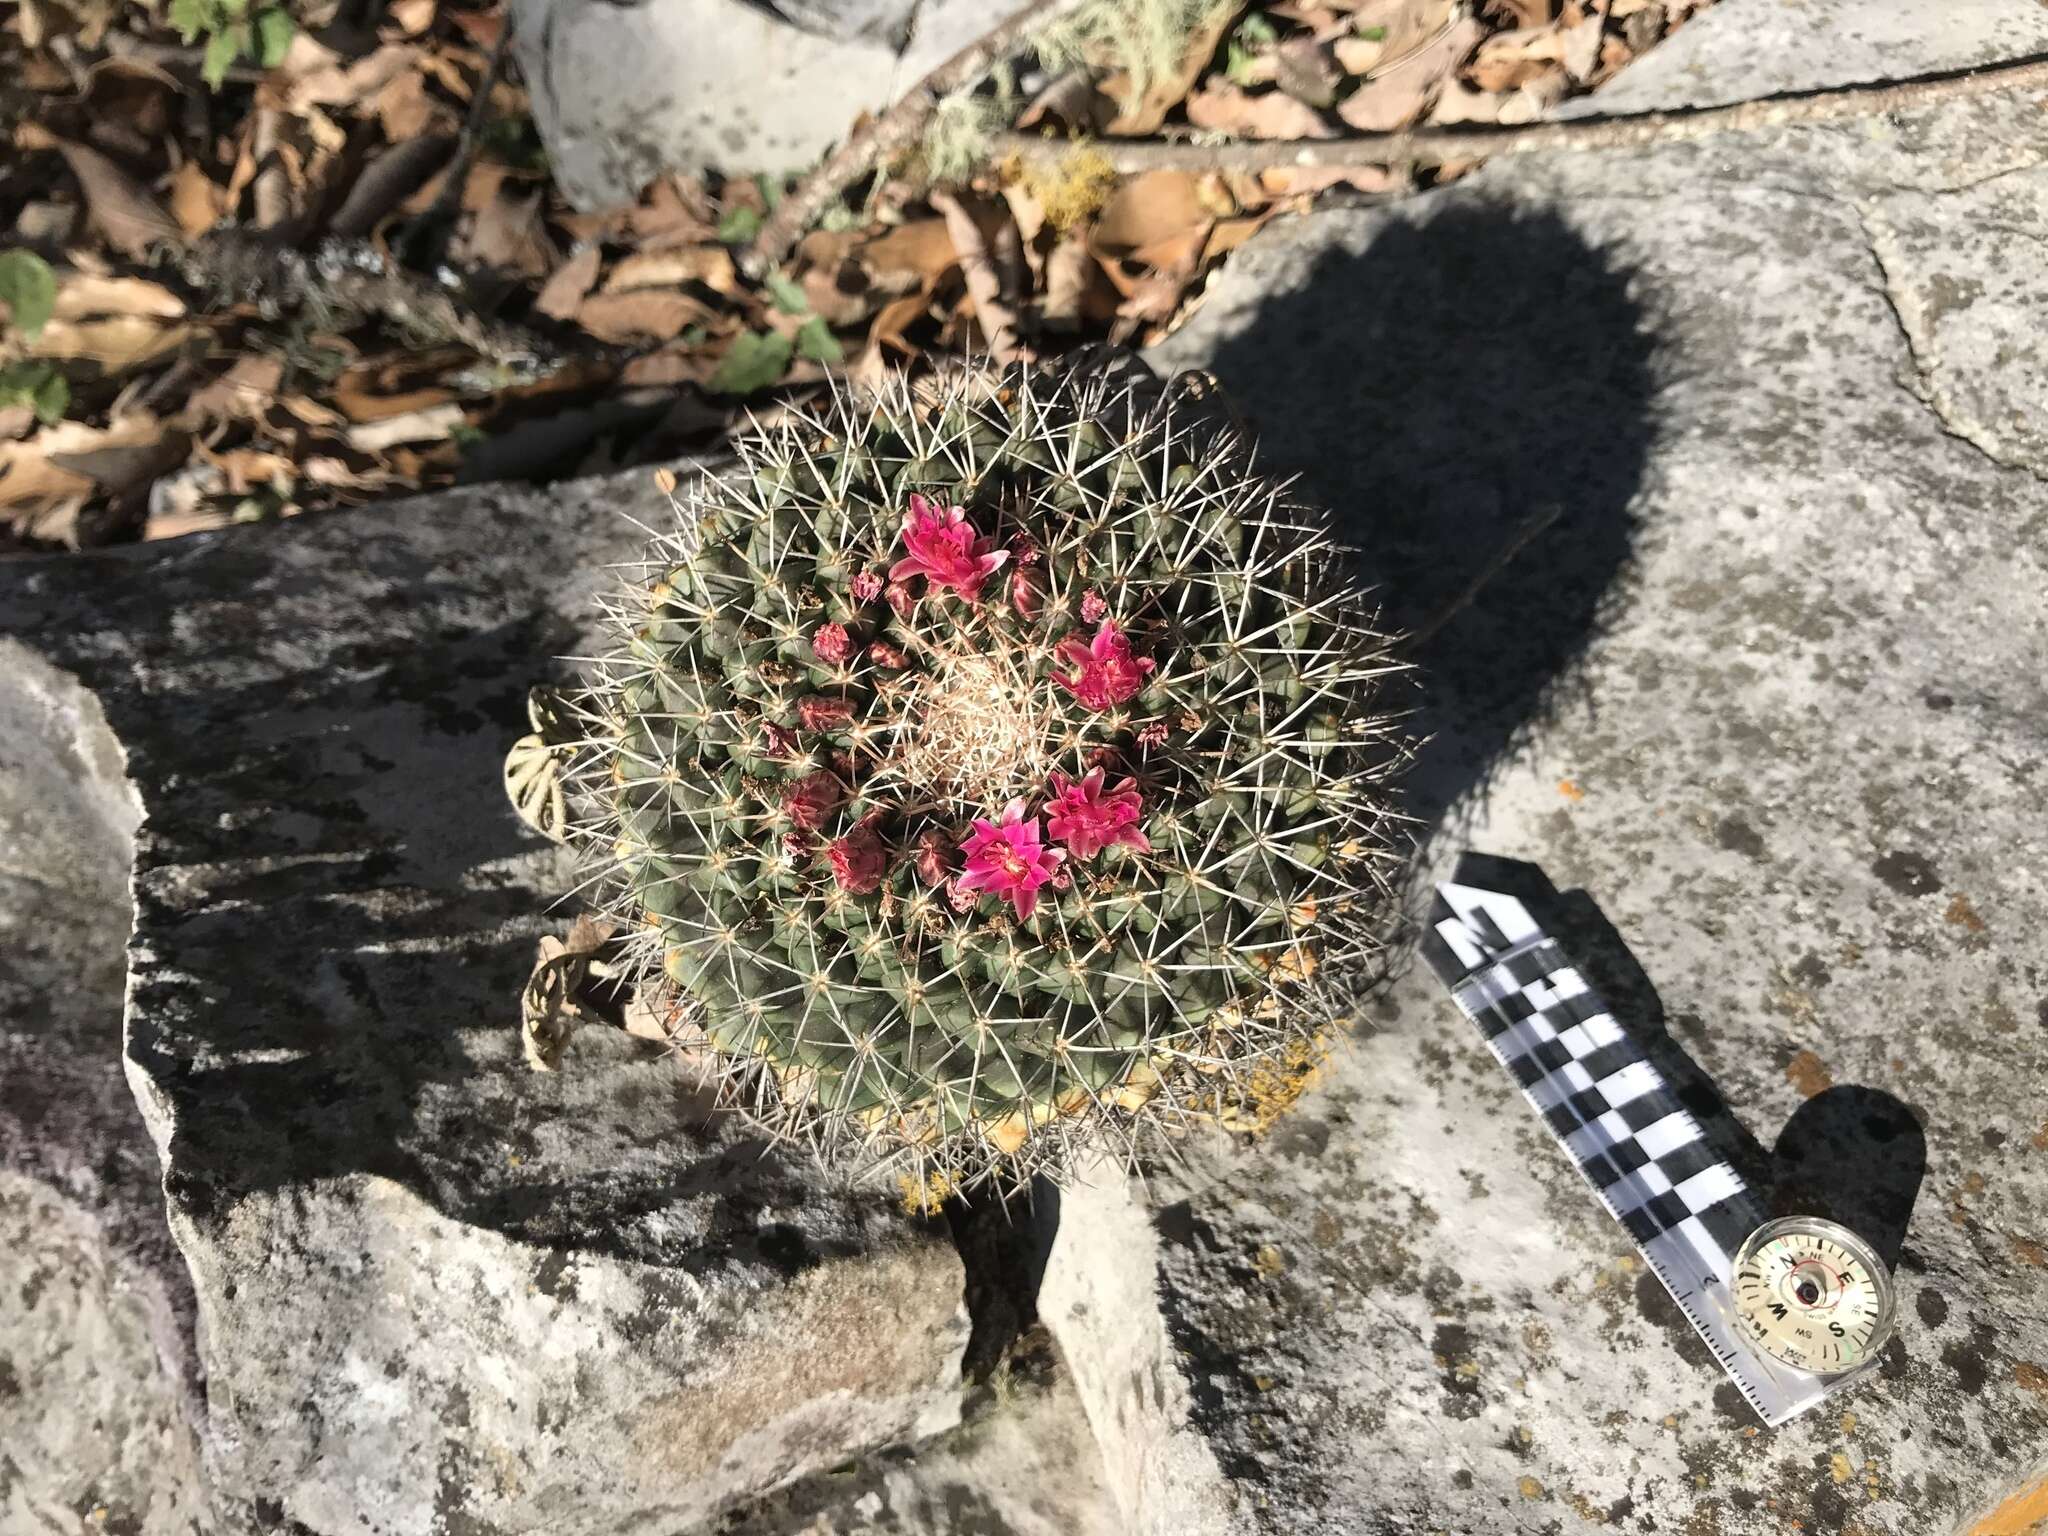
(1465, 372)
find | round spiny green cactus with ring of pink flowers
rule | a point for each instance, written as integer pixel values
(994, 763)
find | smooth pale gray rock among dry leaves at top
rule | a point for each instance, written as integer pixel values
(628, 91)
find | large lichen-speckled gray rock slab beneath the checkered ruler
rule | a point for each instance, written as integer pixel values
(1775, 695)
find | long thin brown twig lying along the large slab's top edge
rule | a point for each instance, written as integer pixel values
(1453, 144)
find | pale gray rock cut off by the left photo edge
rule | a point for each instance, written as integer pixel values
(99, 1383)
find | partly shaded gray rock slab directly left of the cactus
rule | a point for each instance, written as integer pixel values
(437, 1291)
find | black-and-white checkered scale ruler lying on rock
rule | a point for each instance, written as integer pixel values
(1619, 1119)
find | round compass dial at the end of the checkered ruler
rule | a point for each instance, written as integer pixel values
(1814, 1295)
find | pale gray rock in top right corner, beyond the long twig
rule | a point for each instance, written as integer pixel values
(1740, 50)
